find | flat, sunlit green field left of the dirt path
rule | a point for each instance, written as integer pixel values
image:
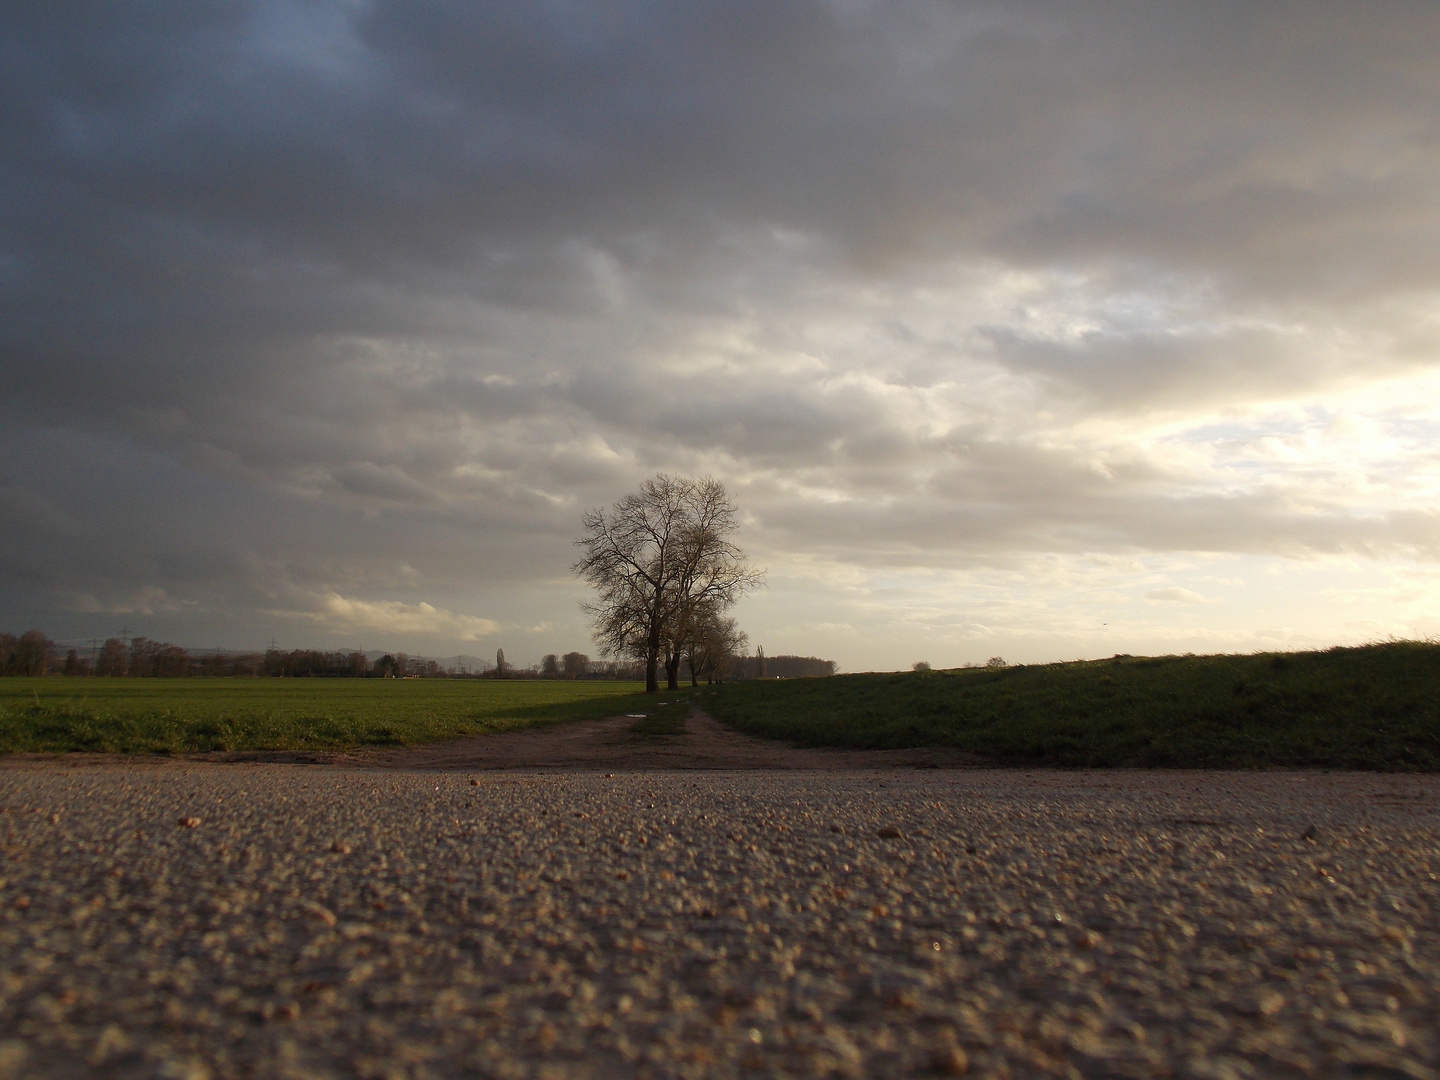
(189, 715)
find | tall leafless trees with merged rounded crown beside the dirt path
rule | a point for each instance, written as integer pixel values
(654, 561)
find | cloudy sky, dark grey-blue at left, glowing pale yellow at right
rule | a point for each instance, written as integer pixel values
(1039, 330)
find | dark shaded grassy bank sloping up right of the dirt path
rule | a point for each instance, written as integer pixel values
(1370, 708)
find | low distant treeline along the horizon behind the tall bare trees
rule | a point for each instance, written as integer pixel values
(35, 654)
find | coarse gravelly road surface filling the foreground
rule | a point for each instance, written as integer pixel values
(217, 921)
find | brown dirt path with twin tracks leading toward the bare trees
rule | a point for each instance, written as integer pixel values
(610, 745)
